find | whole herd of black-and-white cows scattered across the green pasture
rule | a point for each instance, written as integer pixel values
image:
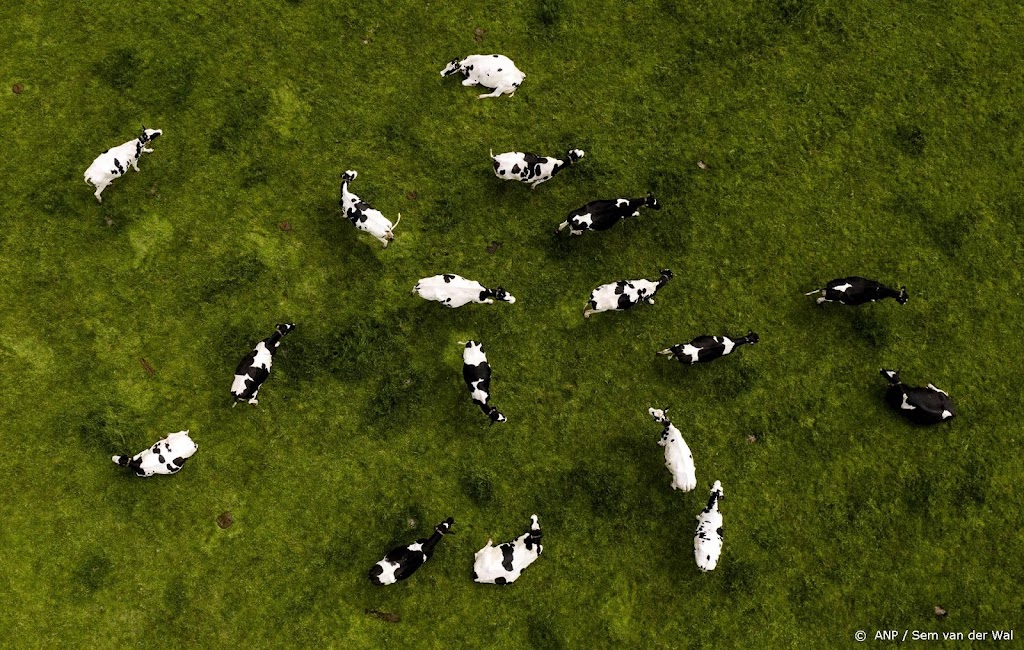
(504, 565)
